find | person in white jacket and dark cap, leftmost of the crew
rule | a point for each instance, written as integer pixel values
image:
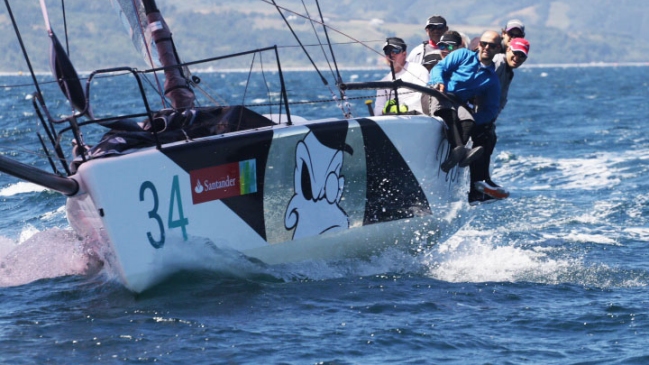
(403, 100)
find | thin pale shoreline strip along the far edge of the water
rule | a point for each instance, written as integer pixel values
(302, 69)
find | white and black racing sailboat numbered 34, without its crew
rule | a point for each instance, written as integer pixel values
(273, 187)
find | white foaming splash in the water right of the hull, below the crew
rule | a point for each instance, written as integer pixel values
(473, 256)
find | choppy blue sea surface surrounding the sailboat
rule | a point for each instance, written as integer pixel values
(556, 274)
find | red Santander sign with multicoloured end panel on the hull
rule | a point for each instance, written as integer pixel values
(224, 181)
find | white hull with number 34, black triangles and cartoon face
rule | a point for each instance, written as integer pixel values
(320, 190)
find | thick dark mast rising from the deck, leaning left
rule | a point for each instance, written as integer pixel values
(176, 87)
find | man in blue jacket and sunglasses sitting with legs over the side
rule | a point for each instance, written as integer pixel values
(462, 76)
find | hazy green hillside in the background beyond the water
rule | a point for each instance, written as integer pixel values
(560, 31)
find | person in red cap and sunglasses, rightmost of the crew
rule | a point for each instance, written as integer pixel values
(482, 187)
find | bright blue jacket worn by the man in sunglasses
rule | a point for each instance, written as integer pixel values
(463, 75)
